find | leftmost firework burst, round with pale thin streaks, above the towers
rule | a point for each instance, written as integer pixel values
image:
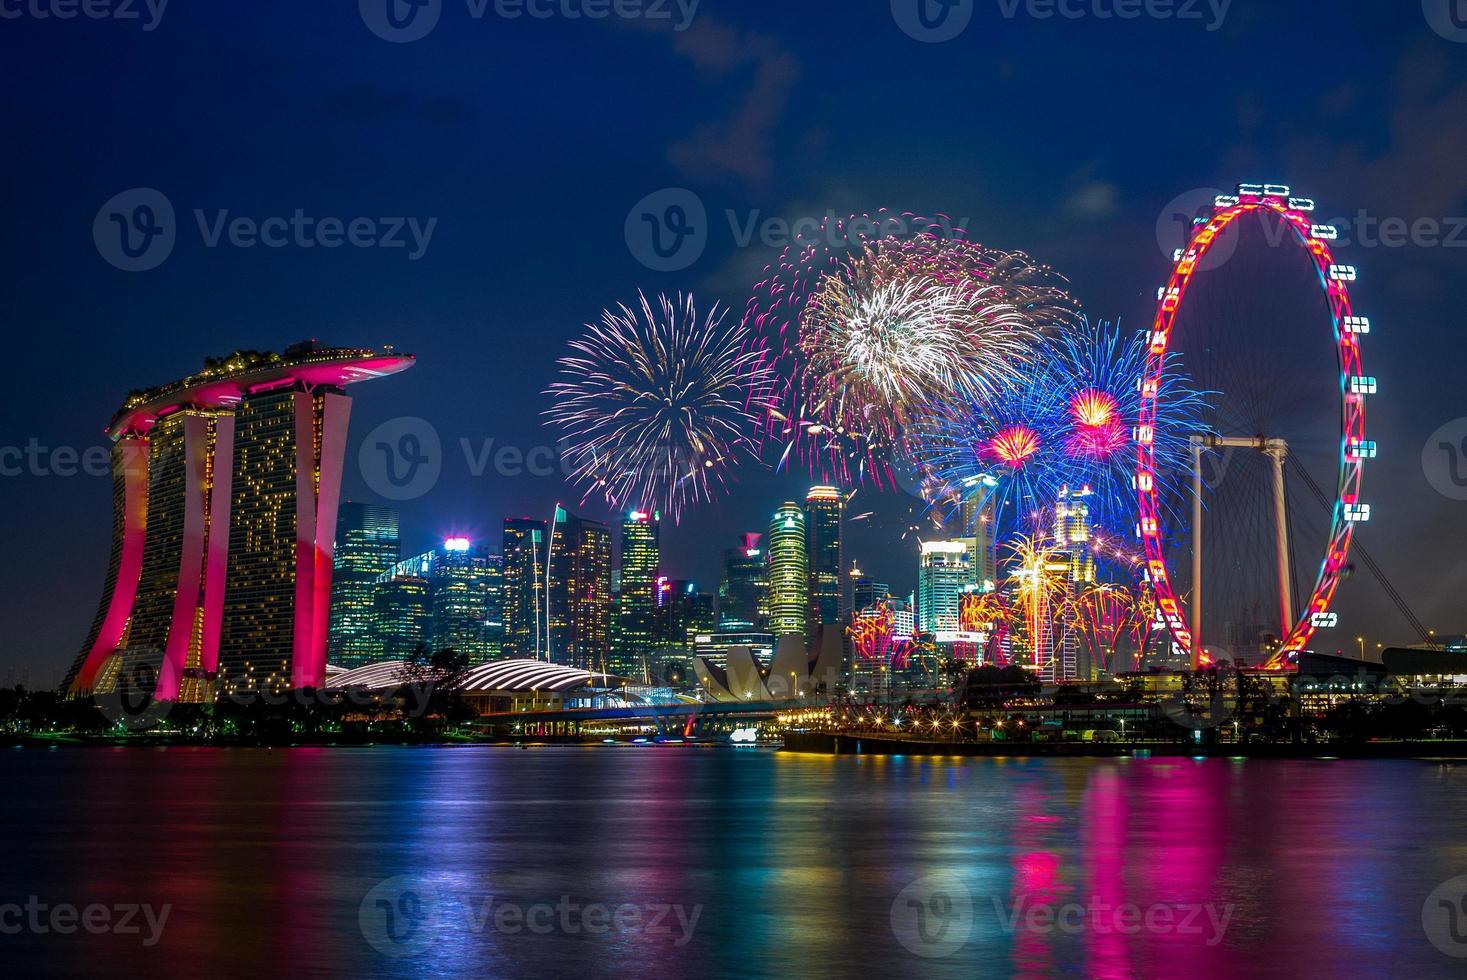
(656, 406)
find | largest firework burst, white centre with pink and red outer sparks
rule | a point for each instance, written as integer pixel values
(877, 316)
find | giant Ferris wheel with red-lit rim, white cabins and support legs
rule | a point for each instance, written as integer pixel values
(1299, 617)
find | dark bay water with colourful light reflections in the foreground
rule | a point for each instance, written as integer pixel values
(400, 862)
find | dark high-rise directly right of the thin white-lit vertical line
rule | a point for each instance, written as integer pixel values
(580, 592)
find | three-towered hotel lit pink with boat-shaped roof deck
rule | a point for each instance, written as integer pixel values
(225, 489)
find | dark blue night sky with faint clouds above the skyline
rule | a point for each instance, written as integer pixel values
(529, 142)
